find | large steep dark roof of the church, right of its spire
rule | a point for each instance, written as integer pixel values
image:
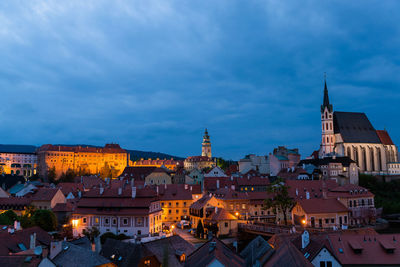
(354, 127)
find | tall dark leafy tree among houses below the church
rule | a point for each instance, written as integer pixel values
(281, 201)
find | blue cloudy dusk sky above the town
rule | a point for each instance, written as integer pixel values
(151, 75)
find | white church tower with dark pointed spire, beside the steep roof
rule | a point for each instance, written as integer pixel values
(328, 135)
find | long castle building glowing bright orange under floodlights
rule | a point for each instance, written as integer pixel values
(87, 160)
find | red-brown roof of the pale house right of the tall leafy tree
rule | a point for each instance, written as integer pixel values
(320, 205)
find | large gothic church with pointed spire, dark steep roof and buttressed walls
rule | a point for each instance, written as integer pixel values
(351, 134)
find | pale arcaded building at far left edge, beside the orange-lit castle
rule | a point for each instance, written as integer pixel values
(18, 163)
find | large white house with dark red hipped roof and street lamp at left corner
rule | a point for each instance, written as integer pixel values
(120, 210)
